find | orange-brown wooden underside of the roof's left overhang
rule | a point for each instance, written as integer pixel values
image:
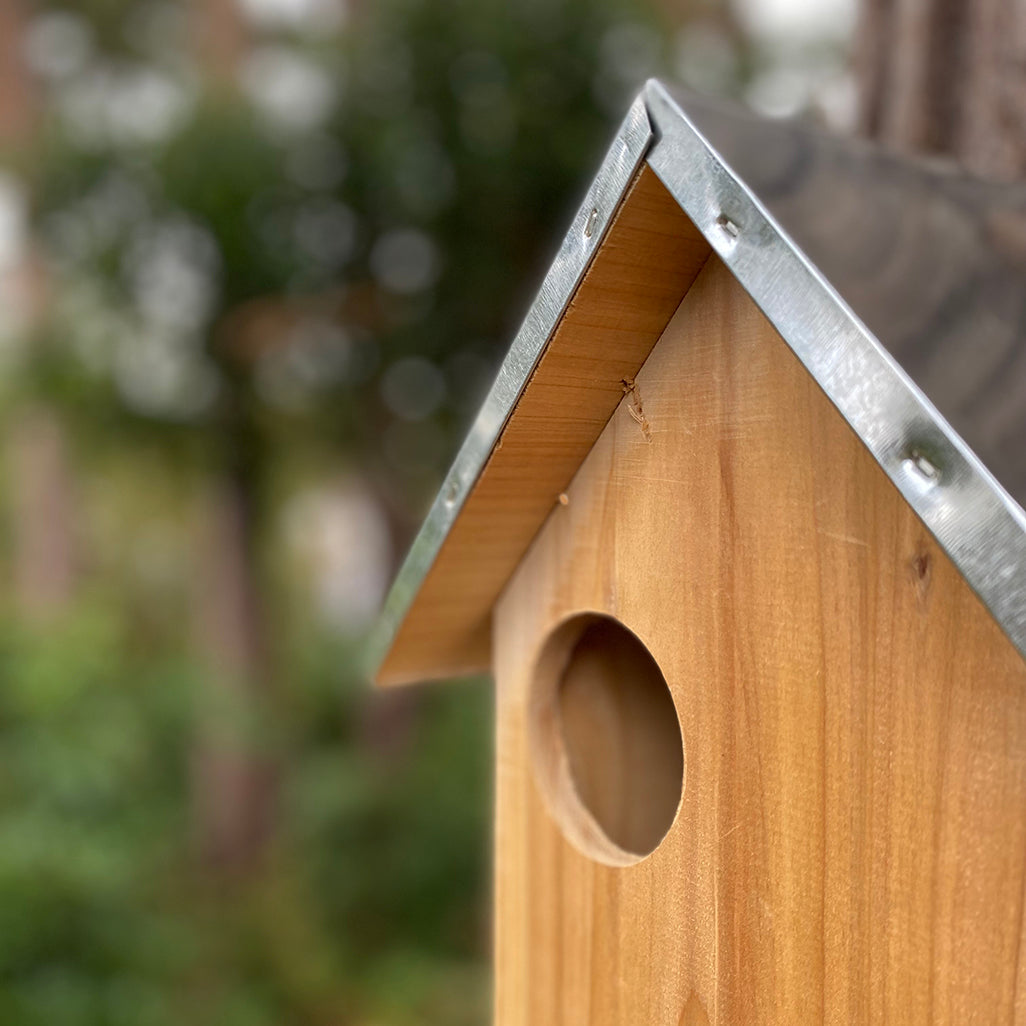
(646, 265)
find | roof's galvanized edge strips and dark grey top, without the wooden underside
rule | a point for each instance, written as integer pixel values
(934, 263)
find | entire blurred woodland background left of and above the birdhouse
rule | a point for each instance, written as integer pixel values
(259, 262)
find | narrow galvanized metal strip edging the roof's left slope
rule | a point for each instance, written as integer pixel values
(579, 247)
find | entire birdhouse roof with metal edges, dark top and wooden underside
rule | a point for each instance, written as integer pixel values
(662, 203)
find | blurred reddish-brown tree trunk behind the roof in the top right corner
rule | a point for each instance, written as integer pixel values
(946, 77)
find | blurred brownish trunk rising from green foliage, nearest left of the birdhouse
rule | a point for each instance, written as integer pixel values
(233, 792)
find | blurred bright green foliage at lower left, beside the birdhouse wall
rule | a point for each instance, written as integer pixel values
(365, 909)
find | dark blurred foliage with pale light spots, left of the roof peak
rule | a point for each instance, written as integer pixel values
(399, 233)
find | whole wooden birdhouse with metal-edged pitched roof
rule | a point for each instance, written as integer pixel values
(756, 613)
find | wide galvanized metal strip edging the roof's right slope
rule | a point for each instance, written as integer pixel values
(979, 526)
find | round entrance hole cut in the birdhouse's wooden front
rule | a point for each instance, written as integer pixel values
(606, 740)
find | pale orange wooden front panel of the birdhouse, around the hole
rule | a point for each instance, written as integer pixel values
(851, 846)
